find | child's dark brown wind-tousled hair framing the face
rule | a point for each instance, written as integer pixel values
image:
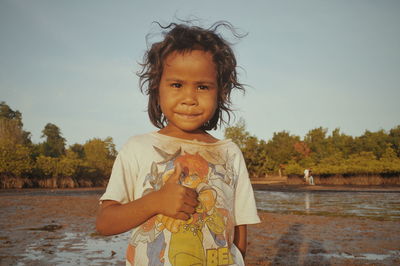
(185, 38)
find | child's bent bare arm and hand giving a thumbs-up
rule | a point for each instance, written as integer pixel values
(172, 200)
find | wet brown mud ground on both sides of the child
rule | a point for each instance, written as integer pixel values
(59, 229)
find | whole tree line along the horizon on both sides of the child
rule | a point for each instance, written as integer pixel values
(51, 164)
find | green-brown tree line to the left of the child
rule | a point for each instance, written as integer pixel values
(50, 163)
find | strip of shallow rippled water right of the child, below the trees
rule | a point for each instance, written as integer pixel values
(361, 204)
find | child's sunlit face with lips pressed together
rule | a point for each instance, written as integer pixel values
(188, 90)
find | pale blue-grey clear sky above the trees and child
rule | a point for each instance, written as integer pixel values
(307, 64)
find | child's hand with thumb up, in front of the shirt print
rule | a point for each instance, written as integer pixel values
(175, 200)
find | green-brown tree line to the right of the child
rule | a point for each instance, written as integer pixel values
(335, 154)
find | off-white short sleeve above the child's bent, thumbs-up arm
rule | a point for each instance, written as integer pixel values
(123, 178)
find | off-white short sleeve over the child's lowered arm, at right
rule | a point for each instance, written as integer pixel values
(245, 205)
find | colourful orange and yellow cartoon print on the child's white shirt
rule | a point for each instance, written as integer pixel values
(186, 237)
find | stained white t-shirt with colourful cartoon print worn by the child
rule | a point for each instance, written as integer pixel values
(217, 172)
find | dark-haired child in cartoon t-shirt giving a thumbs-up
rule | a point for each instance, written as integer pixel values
(186, 195)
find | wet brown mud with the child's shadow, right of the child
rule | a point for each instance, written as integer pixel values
(308, 240)
